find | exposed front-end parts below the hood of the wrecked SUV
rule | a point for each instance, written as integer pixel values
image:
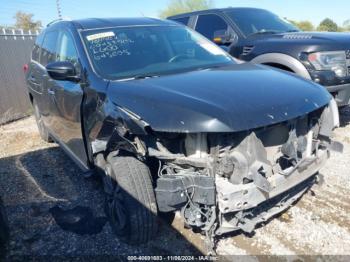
(233, 181)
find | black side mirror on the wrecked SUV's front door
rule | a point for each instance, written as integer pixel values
(62, 71)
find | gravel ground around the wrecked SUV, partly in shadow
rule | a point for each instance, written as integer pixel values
(36, 176)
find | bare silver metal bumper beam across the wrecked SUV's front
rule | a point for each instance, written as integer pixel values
(245, 206)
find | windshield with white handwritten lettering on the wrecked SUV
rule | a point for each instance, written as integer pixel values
(146, 51)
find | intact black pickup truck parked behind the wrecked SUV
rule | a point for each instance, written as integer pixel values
(262, 37)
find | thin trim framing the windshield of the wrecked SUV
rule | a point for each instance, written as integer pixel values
(92, 66)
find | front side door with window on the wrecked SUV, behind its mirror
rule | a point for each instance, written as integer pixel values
(66, 98)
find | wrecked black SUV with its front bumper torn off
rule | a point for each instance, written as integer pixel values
(173, 123)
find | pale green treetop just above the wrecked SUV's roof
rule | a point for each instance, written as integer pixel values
(183, 6)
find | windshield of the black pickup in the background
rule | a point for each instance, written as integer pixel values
(253, 21)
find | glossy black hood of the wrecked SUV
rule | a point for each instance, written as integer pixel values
(227, 99)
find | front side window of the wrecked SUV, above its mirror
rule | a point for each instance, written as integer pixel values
(66, 49)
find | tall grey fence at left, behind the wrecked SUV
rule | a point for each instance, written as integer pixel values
(15, 51)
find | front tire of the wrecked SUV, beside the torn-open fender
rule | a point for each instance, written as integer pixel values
(130, 200)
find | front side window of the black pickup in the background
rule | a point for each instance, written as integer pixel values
(208, 24)
